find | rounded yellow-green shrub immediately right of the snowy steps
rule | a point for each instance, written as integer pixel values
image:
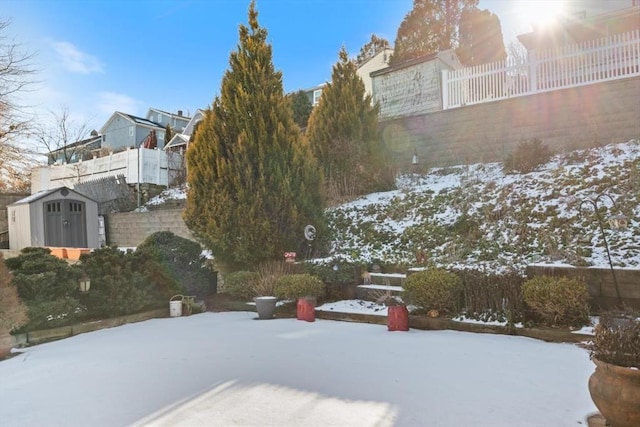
(433, 289)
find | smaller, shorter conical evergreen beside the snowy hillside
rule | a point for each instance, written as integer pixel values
(343, 133)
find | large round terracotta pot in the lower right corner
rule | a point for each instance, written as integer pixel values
(615, 390)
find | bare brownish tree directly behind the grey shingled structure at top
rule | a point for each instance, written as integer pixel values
(430, 27)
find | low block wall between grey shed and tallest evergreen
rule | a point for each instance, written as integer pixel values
(129, 229)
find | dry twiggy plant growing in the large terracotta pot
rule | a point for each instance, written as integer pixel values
(617, 338)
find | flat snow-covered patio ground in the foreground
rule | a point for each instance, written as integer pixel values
(227, 369)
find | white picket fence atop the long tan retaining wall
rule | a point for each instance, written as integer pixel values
(574, 65)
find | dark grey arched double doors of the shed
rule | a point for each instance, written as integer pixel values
(65, 223)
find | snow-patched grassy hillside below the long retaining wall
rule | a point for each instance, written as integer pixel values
(477, 215)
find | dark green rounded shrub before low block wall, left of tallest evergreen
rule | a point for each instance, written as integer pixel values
(182, 259)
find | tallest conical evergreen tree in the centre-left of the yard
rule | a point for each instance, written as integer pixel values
(253, 183)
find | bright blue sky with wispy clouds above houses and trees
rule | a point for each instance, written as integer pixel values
(99, 56)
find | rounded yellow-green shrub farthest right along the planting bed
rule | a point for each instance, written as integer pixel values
(557, 300)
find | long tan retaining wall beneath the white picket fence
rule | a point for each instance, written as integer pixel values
(564, 120)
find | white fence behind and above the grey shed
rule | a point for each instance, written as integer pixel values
(137, 165)
